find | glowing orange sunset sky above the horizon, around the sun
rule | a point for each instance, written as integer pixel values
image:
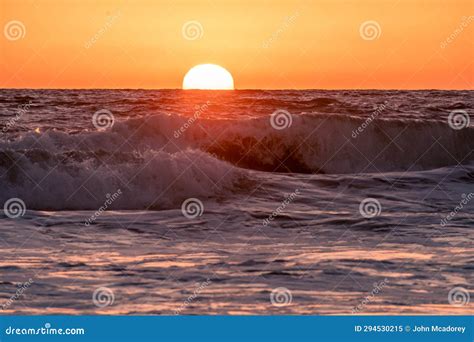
(275, 44)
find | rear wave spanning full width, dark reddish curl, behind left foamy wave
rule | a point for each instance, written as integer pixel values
(310, 143)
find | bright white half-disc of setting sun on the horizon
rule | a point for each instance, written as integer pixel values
(208, 76)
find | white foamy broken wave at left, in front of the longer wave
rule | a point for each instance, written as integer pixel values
(153, 180)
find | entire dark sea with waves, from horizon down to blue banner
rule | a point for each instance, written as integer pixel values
(241, 202)
